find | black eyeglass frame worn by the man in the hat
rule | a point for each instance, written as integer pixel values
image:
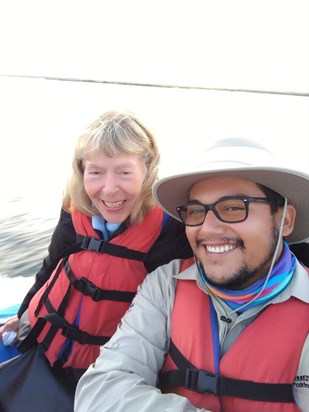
(212, 206)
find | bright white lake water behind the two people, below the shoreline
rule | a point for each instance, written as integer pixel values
(40, 121)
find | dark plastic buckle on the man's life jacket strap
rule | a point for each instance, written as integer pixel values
(202, 381)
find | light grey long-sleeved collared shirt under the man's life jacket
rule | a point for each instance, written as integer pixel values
(124, 376)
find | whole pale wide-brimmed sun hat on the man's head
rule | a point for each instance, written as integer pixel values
(244, 159)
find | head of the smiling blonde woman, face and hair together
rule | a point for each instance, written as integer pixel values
(108, 167)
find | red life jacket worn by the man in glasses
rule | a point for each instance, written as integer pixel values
(267, 352)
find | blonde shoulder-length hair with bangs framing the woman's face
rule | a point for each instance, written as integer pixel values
(114, 133)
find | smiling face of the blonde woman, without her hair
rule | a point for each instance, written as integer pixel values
(114, 183)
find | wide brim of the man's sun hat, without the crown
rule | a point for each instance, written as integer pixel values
(173, 191)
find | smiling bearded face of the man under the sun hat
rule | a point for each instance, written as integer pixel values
(234, 255)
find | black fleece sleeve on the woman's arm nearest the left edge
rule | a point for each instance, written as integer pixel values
(62, 238)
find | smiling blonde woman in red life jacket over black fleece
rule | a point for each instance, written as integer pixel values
(109, 236)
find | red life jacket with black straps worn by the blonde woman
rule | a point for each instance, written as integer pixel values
(80, 306)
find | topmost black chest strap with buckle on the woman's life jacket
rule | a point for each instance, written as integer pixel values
(101, 246)
